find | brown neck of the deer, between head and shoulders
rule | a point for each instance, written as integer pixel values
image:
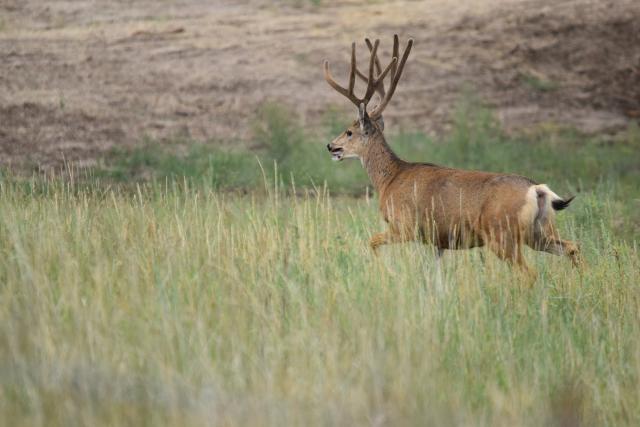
(380, 162)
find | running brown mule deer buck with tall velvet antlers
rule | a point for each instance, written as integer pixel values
(450, 208)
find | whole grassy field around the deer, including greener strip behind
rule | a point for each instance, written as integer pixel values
(224, 299)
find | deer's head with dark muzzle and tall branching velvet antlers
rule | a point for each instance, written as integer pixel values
(368, 126)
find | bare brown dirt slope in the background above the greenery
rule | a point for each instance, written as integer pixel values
(79, 77)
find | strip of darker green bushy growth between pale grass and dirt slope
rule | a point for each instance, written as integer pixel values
(570, 163)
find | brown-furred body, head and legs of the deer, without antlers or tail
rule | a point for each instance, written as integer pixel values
(455, 208)
